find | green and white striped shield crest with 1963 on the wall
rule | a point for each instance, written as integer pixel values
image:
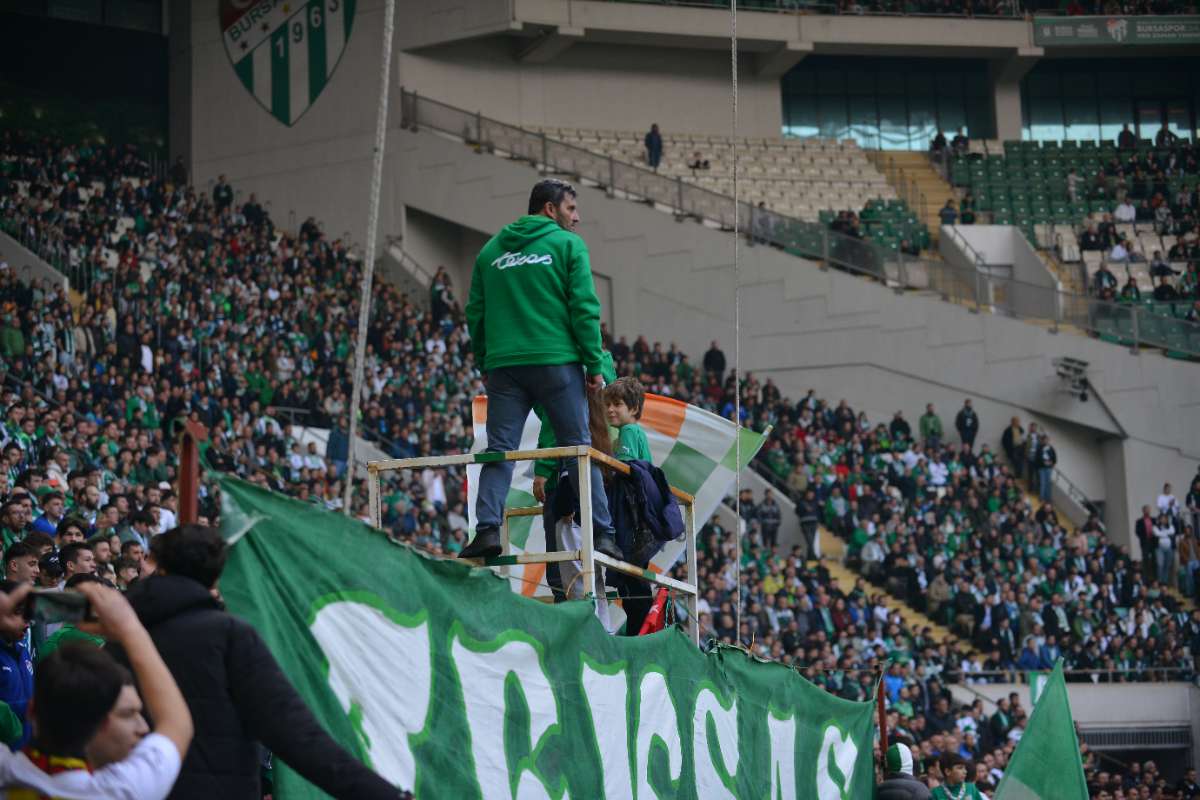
(285, 52)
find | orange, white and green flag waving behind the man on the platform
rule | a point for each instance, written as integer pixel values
(695, 450)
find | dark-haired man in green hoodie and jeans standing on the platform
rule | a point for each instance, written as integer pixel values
(535, 323)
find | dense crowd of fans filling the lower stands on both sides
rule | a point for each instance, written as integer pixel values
(195, 306)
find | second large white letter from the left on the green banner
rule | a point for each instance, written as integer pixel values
(483, 691)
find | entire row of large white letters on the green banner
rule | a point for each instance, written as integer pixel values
(363, 642)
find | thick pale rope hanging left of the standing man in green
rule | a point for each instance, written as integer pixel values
(369, 249)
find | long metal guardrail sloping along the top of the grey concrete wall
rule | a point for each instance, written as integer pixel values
(980, 290)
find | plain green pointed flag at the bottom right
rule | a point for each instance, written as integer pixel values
(1046, 763)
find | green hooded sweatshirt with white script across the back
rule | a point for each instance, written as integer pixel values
(532, 299)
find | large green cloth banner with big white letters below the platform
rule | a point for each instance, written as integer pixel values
(445, 681)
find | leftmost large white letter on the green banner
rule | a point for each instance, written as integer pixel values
(381, 645)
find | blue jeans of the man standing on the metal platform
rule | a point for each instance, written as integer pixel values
(512, 395)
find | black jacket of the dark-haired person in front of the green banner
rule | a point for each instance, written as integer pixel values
(239, 696)
